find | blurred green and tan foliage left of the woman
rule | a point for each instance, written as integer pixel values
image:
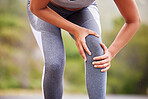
(16, 52)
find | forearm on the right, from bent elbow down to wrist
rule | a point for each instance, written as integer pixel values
(124, 36)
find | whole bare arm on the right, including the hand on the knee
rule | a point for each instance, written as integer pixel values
(130, 13)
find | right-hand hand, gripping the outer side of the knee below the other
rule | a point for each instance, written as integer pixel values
(104, 60)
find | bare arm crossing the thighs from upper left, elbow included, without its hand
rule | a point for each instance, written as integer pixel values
(40, 9)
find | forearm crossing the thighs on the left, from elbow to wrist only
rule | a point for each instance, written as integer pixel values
(50, 16)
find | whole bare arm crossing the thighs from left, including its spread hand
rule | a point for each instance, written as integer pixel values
(40, 9)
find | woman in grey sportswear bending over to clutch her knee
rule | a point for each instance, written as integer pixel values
(82, 20)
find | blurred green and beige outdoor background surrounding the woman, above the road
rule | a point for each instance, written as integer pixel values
(21, 62)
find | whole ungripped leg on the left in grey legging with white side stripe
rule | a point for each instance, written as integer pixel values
(50, 42)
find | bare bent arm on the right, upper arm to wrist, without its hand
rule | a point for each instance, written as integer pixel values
(130, 13)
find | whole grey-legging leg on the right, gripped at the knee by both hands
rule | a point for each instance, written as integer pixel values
(95, 79)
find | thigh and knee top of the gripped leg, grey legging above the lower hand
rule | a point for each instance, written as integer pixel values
(89, 18)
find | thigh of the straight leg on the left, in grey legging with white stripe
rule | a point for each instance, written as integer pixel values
(48, 37)
